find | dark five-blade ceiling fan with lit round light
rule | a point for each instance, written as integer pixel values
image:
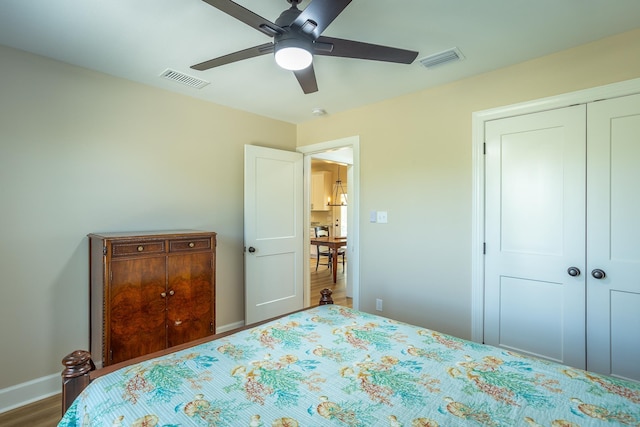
(297, 37)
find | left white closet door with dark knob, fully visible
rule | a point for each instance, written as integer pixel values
(535, 231)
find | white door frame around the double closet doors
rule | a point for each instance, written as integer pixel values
(478, 120)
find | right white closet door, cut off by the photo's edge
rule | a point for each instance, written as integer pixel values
(613, 220)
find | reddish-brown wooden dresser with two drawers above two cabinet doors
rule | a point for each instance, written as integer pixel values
(149, 291)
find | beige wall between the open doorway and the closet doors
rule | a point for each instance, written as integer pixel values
(420, 262)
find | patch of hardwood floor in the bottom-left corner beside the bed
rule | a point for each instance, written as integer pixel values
(44, 413)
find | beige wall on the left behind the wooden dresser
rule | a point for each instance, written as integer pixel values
(84, 152)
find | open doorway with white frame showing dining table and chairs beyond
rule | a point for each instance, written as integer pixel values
(335, 161)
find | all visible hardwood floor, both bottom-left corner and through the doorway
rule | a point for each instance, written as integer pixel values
(46, 413)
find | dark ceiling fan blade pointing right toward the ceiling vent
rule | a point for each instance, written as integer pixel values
(359, 50)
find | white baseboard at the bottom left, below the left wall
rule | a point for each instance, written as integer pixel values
(29, 392)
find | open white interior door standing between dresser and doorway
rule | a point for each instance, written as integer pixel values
(274, 229)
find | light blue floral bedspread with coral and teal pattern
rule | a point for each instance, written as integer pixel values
(333, 366)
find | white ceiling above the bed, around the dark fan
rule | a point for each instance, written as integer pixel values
(139, 39)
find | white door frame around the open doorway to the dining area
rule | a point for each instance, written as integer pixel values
(353, 214)
